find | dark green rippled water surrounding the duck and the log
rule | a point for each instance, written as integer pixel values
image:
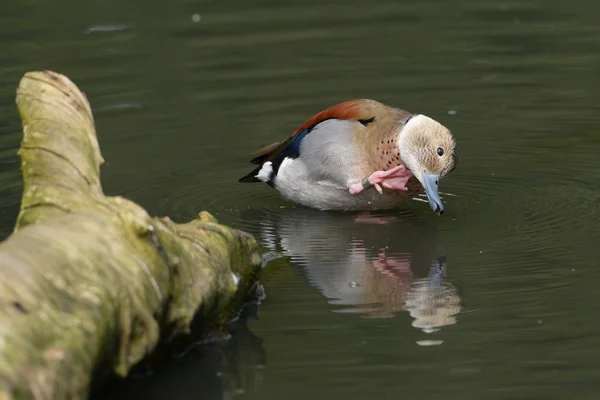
(361, 309)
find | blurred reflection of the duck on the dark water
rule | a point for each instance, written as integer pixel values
(375, 266)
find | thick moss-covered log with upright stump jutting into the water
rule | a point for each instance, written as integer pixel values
(89, 281)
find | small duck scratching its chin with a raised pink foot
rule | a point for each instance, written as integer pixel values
(359, 155)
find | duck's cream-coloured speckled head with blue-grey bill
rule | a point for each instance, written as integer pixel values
(429, 151)
